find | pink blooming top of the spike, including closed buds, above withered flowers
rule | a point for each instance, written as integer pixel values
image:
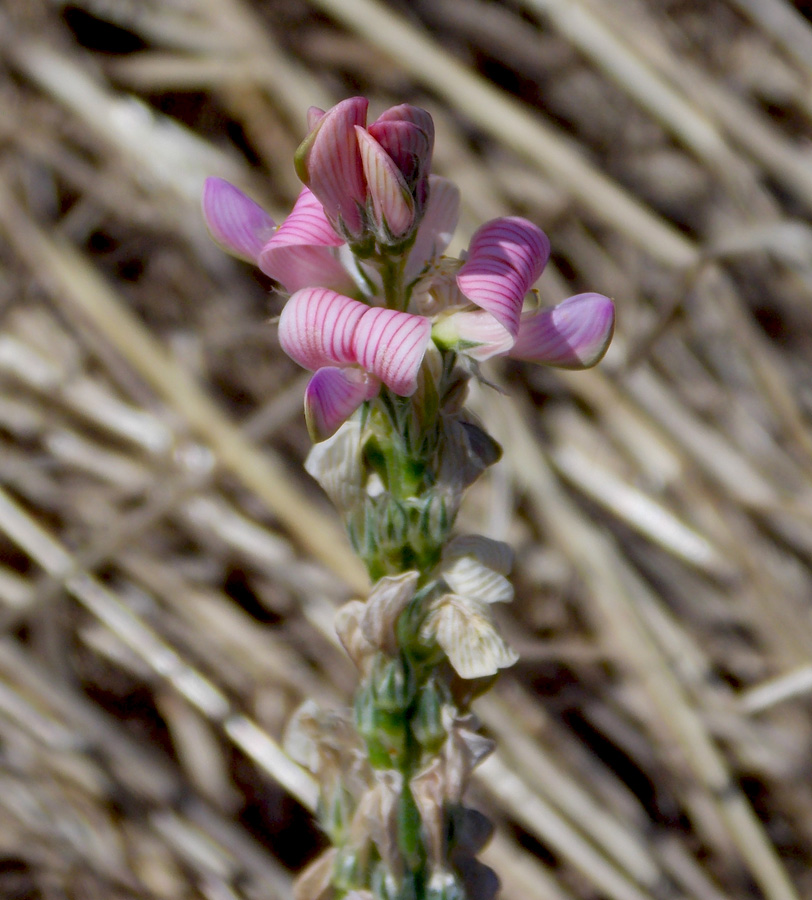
(377, 178)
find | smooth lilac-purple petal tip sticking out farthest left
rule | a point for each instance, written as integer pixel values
(236, 223)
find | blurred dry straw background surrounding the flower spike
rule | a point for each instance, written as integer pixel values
(168, 573)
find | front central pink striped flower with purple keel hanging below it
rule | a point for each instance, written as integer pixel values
(353, 349)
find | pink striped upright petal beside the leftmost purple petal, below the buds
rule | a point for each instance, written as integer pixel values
(300, 253)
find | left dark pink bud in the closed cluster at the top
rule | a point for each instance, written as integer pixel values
(329, 163)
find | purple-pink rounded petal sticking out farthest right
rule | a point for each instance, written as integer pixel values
(572, 335)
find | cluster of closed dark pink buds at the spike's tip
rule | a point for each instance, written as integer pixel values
(372, 181)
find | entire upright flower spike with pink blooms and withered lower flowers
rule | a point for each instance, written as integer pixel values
(393, 332)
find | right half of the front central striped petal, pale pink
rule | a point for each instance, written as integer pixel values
(391, 345)
